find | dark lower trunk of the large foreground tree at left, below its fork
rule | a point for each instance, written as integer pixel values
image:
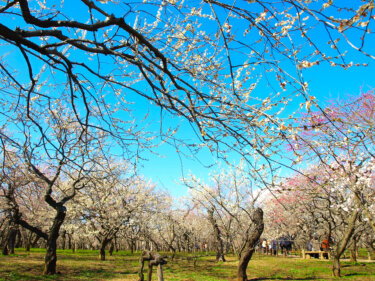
(51, 245)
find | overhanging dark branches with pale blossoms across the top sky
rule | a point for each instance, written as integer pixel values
(201, 61)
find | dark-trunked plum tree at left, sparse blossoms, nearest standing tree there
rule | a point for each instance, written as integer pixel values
(56, 158)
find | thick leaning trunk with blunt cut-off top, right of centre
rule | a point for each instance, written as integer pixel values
(254, 234)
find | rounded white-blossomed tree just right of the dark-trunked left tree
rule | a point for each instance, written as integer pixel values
(115, 199)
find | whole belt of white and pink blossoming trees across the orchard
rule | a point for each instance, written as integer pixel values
(110, 205)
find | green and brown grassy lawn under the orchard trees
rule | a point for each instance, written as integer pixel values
(84, 265)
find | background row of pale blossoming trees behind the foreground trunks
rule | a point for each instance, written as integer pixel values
(127, 213)
